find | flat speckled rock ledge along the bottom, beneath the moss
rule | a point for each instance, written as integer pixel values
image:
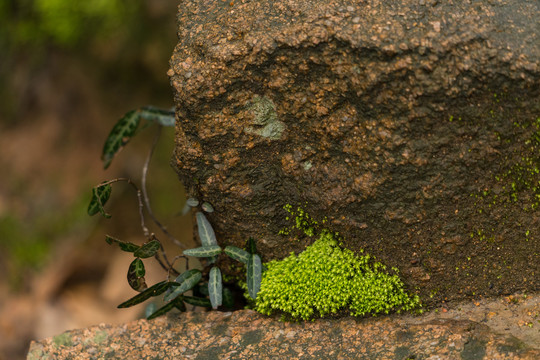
(248, 335)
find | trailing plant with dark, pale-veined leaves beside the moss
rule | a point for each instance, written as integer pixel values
(206, 293)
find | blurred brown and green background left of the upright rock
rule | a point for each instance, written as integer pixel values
(68, 71)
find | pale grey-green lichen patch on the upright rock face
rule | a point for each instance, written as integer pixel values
(266, 120)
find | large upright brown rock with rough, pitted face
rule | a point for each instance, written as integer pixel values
(413, 126)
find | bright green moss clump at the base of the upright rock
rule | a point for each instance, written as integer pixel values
(325, 279)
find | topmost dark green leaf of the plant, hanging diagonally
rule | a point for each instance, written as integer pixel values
(119, 136)
